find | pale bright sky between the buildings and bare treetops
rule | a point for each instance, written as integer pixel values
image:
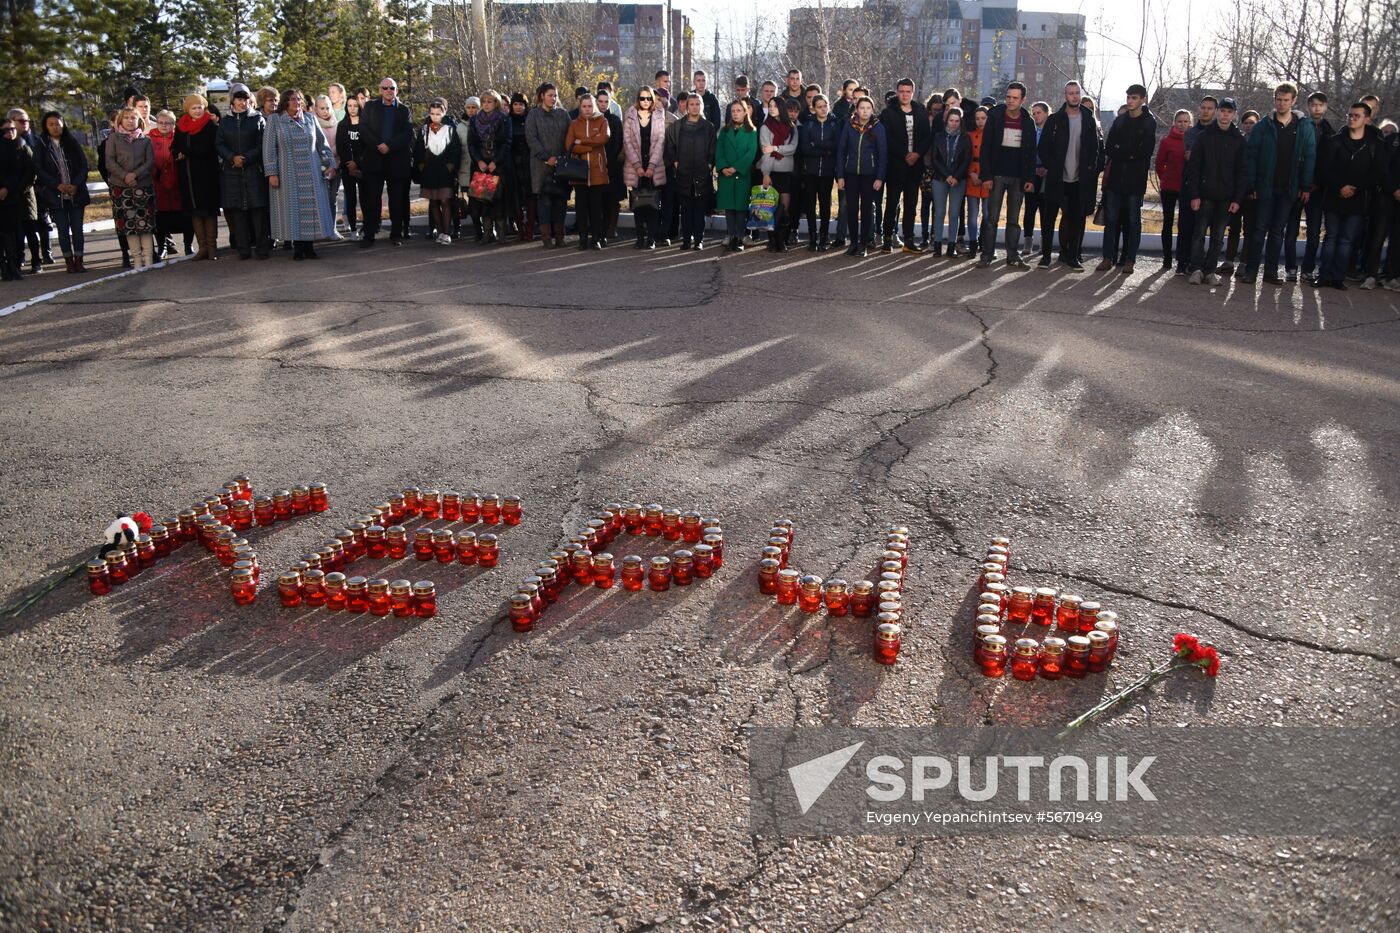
(1116, 62)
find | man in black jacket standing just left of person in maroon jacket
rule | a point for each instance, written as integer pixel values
(1130, 146)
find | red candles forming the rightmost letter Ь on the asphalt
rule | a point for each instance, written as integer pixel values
(1093, 633)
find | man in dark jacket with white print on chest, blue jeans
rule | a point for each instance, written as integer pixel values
(1009, 159)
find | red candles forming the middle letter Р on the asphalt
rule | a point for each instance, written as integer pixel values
(586, 561)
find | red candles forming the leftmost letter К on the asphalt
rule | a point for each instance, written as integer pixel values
(215, 523)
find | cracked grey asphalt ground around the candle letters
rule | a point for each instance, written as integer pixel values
(1202, 460)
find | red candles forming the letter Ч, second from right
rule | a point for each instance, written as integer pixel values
(810, 593)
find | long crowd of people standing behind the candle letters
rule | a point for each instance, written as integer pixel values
(1237, 190)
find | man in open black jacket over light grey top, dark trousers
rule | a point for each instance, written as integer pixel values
(1069, 151)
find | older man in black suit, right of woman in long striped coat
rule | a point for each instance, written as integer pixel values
(387, 130)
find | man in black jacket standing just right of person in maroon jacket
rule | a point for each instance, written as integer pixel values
(1214, 186)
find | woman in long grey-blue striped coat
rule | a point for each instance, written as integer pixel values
(299, 162)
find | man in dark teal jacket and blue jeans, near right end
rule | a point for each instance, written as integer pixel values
(1282, 158)
